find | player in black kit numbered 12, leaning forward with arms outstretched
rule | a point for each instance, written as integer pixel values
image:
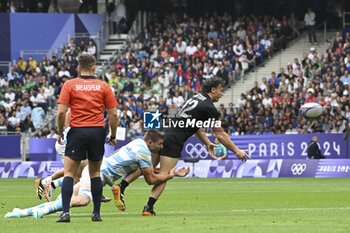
(188, 122)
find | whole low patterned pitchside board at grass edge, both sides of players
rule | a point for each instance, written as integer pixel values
(259, 168)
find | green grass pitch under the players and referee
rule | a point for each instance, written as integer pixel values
(199, 205)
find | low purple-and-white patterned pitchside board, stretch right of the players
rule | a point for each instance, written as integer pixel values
(270, 168)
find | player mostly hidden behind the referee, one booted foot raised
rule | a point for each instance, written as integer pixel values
(47, 185)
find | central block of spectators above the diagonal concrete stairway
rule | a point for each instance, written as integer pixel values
(167, 64)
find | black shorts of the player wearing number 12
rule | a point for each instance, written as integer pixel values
(172, 146)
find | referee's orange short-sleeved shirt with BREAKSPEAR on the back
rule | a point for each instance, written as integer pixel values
(87, 97)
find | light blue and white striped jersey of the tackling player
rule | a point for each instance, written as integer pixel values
(127, 159)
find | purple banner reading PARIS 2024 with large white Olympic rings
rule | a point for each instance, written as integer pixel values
(281, 146)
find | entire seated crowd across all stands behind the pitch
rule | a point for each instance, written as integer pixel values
(168, 62)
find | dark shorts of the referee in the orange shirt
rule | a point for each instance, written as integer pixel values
(86, 142)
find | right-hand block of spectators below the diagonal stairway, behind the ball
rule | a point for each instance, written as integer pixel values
(272, 106)
